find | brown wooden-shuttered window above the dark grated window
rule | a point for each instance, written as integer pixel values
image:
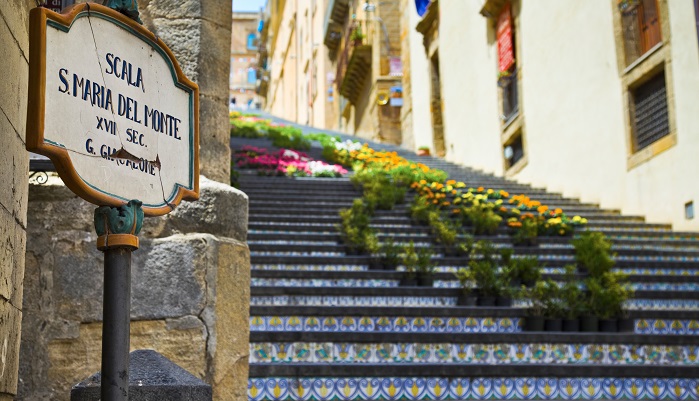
(641, 27)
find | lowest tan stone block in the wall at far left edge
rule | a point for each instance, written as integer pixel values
(10, 323)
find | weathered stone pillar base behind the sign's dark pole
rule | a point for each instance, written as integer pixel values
(190, 291)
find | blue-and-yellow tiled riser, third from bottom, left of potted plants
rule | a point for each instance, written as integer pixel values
(385, 324)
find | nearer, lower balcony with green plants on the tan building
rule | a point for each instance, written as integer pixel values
(355, 62)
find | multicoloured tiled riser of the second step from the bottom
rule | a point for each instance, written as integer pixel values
(475, 354)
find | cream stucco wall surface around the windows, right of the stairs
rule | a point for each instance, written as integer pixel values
(572, 104)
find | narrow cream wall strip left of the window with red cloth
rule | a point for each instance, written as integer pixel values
(469, 91)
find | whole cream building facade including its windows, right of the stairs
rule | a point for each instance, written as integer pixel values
(594, 99)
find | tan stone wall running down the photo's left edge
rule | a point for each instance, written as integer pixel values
(14, 165)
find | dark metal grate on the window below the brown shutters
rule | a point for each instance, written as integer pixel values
(651, 120)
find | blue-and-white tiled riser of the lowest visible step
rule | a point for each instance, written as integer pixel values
(435, 388)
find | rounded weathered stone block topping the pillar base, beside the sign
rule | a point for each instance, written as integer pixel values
(221, 210)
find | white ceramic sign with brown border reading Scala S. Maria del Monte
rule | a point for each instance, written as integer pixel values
(110, 106)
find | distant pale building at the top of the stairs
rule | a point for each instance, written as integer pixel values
(244, 49)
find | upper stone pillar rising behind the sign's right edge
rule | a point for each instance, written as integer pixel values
(199, 33)
